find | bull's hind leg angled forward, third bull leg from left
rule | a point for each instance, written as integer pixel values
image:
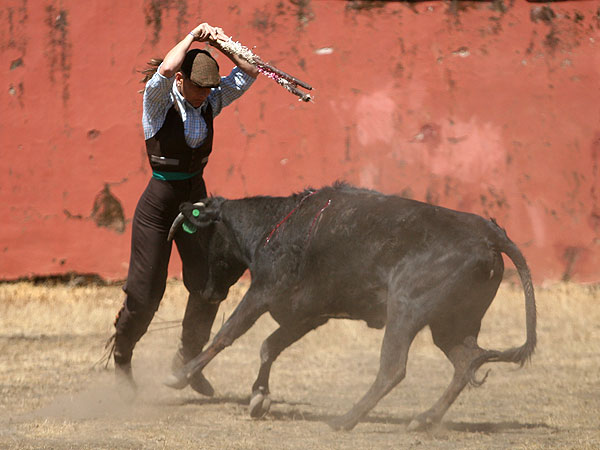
(399, 334)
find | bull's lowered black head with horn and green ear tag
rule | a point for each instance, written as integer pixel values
(225, 265)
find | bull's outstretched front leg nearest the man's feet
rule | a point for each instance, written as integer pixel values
(245, 315)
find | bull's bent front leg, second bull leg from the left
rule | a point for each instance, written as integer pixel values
(279, 340)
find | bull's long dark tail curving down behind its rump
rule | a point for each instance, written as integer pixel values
(522, 354)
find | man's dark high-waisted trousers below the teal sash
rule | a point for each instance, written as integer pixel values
(148, 268)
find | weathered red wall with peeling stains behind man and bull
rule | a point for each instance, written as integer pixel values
(488, 107)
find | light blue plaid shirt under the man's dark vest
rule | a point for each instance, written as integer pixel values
(161, 93)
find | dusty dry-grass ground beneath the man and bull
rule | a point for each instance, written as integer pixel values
(53, 394)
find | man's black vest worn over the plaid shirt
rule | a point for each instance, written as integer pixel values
(168, 151)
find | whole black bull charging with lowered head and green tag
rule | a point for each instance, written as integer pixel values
(343, 252)
